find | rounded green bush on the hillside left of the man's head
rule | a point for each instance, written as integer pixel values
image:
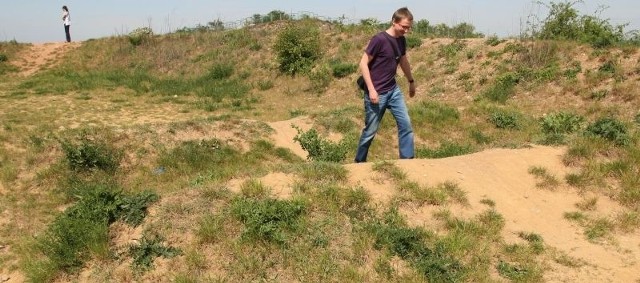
(298, 48)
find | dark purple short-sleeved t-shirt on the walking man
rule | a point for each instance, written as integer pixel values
(383, 66)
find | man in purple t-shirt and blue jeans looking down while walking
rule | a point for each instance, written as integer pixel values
(379, 64)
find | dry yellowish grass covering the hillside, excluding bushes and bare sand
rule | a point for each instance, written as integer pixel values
(148, 122)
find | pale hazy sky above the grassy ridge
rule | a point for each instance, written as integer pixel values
(39, 21)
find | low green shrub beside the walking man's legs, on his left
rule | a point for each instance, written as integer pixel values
(320, 149)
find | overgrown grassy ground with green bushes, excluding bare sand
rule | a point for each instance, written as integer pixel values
(117, 129)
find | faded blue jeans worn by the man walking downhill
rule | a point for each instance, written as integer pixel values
(394, 101)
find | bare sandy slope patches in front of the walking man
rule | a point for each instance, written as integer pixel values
(501, 175)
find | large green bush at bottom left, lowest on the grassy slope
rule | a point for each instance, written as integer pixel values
(83, 229)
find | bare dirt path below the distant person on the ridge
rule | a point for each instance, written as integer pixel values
(42, 56)
